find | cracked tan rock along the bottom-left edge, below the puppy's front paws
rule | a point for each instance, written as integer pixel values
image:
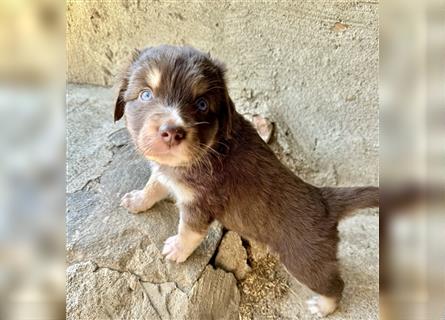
(103, 293)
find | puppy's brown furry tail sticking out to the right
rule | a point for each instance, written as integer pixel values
(342, 201)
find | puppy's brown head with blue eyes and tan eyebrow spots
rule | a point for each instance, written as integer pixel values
(175, 103)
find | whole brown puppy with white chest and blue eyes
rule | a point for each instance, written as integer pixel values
(180, 116)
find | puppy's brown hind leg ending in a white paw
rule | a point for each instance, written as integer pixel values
(322, 276)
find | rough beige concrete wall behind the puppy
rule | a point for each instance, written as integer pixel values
(291, 61)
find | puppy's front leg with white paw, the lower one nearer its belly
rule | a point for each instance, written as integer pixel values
(179, 247)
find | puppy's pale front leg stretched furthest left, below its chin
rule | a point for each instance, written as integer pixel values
(141, 200)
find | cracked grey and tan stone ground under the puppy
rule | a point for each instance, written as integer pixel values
(115, 267)
